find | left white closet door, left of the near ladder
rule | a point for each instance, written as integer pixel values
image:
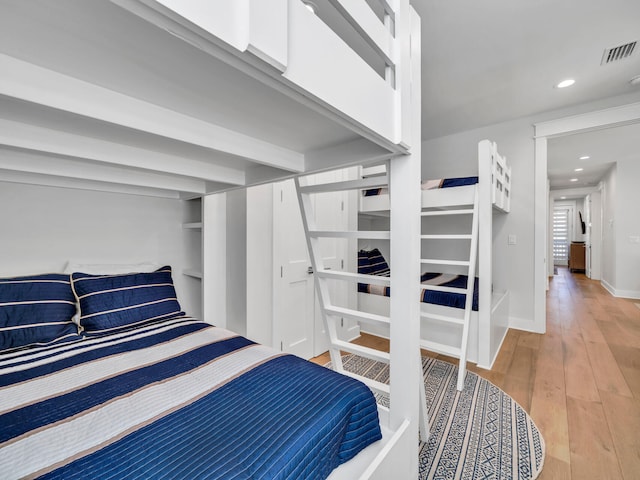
(293, 316)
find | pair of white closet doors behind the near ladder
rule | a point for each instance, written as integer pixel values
(298, 324)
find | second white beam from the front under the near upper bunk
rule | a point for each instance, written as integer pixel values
(31, 137)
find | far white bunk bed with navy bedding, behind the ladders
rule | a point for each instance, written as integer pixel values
(490, 305)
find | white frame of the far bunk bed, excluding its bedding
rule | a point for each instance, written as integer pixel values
(488, 325)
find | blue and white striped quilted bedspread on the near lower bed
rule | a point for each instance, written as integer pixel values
(177, 399)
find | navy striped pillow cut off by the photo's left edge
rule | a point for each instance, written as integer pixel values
(36, 310)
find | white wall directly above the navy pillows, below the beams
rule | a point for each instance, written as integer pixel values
(44, 227)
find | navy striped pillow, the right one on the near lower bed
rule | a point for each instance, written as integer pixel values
(109, 302)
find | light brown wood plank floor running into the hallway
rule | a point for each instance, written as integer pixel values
(580, 381)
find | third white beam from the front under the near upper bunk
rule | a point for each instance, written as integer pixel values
(31, 162)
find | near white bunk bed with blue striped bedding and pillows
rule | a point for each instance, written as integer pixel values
(183, 100)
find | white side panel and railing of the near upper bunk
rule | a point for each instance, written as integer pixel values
(349, 58)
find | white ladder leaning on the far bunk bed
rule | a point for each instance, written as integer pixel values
(470, 209)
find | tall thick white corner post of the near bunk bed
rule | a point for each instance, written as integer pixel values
(405, 367)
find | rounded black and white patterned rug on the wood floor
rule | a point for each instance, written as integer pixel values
(479, 433)
